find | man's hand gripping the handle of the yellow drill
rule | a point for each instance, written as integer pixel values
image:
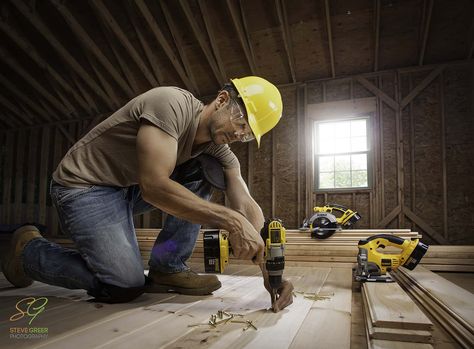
(246, 242)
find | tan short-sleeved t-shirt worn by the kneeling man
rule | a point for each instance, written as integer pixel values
(107, 154)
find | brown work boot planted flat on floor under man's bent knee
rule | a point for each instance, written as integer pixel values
(185, 282)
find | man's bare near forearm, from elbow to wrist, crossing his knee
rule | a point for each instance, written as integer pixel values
(178, 201)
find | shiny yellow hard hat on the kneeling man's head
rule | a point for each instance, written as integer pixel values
(262, 101)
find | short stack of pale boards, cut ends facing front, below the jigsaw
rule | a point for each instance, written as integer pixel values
(392, 318)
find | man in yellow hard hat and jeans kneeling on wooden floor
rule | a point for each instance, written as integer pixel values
(144, 156)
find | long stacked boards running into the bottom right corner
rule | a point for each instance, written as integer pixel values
(451, 305)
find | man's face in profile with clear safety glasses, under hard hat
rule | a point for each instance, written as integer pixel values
(228, 123)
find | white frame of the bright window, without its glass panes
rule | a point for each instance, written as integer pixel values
(315, 154)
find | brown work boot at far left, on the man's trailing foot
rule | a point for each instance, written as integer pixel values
(12, 263)
